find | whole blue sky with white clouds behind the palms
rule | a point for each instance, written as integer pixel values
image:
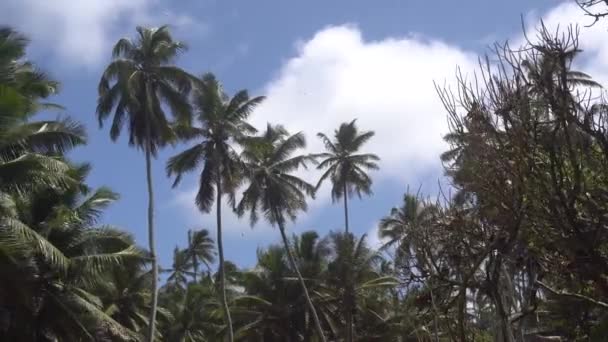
(319, 62)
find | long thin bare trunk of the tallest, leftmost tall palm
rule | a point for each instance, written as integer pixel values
(151, 239)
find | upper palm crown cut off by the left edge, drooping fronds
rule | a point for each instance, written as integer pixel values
(30, 150)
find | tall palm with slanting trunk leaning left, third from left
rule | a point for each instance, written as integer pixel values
(273, 189)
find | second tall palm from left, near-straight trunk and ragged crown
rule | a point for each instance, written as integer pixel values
(222, 121)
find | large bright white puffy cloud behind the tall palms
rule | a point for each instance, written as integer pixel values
(387, 85)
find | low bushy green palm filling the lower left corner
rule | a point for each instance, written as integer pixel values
(53, 257)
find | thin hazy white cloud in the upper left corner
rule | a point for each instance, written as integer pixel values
(82, 32)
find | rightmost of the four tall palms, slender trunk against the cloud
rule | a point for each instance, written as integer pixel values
(346, 169)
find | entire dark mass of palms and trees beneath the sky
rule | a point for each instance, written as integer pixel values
(517, 252)
